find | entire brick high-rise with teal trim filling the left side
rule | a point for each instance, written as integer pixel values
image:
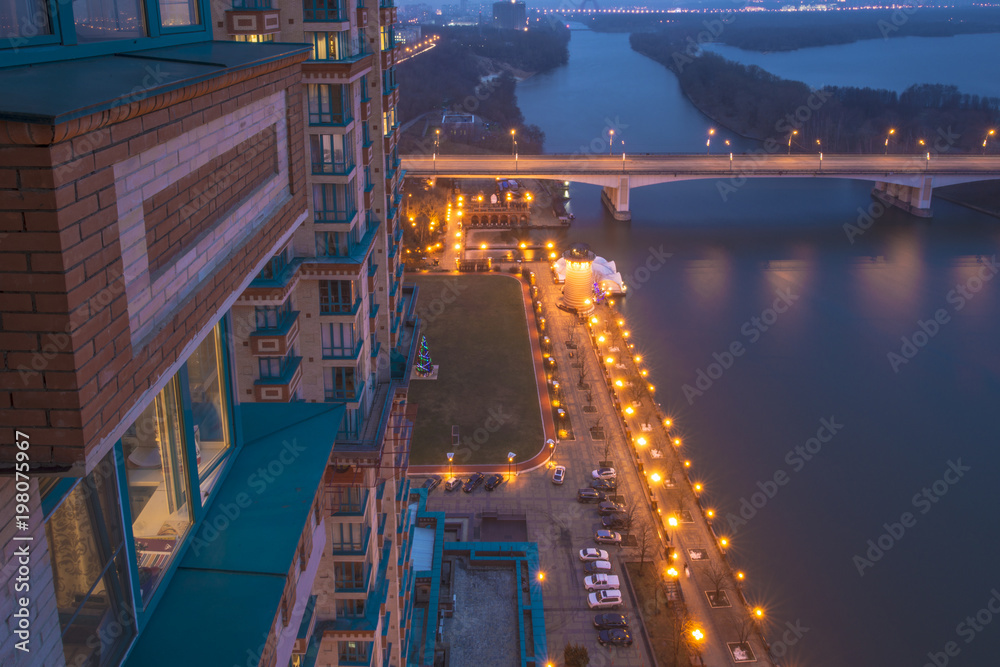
(205, 338)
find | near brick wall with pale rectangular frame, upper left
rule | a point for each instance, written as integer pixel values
(81, 345)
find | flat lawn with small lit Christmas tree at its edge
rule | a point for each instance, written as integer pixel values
(477, 333)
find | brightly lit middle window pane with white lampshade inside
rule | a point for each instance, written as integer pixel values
(156, 468)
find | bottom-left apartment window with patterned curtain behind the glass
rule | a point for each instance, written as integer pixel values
(89, 564)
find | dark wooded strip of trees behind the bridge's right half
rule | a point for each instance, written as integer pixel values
(760, 105)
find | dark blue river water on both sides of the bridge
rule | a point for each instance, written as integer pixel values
(890, 427)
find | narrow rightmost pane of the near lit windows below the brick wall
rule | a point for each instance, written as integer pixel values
(208, 407)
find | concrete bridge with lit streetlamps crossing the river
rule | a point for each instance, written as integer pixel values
(904, 181)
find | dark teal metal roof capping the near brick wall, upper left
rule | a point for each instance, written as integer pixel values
(60, 91)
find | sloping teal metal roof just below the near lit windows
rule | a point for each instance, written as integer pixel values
(223, 597)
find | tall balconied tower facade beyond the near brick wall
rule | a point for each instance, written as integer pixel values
(331, 321)
